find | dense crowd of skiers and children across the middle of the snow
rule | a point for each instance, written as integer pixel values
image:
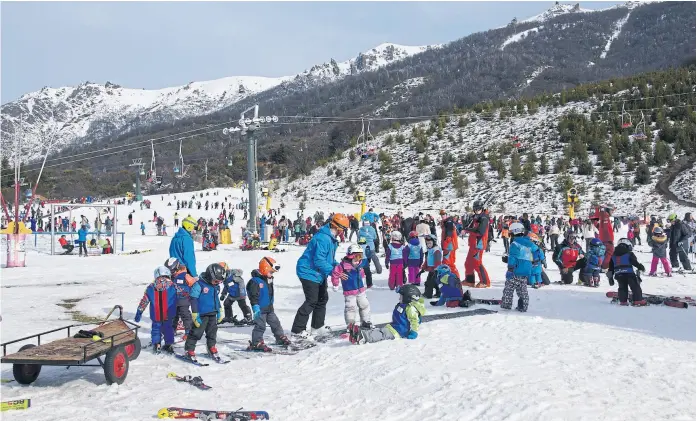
(411, 249)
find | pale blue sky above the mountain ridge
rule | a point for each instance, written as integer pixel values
(159, 44)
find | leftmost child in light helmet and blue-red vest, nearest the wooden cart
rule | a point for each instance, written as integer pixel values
(162, 295)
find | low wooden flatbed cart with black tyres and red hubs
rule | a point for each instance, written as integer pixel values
(119, 344)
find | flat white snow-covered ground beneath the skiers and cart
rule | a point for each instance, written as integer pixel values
(573, 356)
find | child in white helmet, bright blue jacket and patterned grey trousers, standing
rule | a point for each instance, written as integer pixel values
(519, 262)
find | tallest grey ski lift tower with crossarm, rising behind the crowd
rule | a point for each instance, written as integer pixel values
(247, 127)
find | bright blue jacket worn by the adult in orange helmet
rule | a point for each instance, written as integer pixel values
(317, 262)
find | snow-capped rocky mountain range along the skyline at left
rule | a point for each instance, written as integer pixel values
(92, 111)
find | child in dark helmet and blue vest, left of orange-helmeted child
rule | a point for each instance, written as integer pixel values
(206, 311)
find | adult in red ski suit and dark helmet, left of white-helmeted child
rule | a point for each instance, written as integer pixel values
(478, 239)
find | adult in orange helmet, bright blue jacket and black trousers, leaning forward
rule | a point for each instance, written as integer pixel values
(313, 268)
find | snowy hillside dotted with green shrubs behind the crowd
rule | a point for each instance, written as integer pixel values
(542, 195)
